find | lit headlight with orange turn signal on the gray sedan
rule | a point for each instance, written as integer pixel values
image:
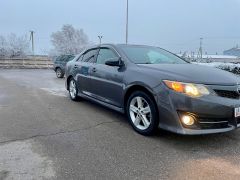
(194, 90)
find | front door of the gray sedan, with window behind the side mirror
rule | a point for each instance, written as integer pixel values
(107, 81)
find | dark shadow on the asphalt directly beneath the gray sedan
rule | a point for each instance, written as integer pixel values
(179, 141)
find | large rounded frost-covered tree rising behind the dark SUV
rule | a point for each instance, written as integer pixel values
(69, 40)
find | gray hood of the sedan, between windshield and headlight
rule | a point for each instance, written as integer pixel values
(192, 73)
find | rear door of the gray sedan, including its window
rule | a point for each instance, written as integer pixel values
(83, 68)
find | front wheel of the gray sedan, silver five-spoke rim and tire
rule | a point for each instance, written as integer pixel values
(142, 113)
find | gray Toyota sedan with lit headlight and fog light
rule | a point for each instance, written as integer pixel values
(156, 89)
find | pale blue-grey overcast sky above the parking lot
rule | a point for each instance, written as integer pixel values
(175, 25)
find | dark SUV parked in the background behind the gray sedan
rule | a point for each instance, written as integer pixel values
(60, 64)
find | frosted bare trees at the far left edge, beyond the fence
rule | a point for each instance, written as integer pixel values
(13, 46)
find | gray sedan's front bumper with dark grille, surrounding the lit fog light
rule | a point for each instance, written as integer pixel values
(214, 114)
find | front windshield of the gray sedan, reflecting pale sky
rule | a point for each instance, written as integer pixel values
(151, 55)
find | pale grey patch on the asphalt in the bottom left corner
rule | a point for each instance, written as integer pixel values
(19, 161)
